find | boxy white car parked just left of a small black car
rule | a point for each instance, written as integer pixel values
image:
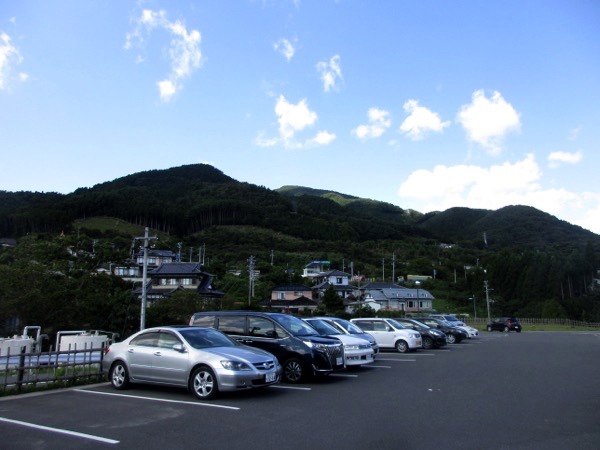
(390, 334)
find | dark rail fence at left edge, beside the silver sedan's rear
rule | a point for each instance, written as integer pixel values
(28, 371)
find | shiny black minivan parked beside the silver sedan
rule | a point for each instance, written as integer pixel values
(300, 350)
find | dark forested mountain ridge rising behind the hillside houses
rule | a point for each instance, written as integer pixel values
(537, 265)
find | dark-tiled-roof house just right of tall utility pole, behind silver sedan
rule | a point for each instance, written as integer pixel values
(168, 278)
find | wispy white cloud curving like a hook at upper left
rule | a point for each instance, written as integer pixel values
(184, 51)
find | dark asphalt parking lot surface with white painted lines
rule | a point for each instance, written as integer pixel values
(501, 390)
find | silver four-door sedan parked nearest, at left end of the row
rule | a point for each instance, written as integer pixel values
(204, 360)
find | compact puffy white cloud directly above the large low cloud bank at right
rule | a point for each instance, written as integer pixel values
(488, 120)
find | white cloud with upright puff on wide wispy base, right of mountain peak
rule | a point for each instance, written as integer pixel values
(292, 119)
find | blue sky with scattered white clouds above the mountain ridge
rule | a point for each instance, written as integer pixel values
(423, 104)
